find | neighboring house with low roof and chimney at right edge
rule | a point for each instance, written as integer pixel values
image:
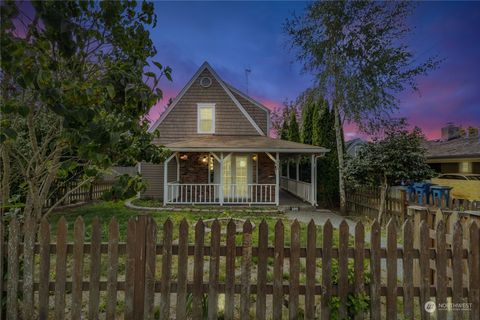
(455, 152)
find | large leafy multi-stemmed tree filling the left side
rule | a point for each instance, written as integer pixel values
(76, 85)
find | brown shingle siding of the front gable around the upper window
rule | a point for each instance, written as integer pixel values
(181, 121)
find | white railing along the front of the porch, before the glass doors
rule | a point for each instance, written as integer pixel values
(195, 193)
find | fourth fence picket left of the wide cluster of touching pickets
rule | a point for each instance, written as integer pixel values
(60, 270)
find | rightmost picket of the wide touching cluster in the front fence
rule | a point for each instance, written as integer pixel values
(150, 264)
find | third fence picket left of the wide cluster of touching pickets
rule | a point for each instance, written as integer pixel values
(77, 275)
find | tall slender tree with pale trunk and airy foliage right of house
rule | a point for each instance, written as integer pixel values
(357, 50)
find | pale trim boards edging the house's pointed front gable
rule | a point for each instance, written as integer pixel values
(207, 66)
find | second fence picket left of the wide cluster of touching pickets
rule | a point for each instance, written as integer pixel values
(95, 262)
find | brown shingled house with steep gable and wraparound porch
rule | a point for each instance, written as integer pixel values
(221, 151)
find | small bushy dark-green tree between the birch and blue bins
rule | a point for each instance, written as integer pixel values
(393, 160)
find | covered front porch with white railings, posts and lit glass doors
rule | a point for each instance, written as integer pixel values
(220, 171)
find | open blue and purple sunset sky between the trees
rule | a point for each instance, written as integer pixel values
(233, 36)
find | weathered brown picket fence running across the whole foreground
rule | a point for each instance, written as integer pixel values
(164, 274)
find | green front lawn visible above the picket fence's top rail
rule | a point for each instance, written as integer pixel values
(105, 211)
